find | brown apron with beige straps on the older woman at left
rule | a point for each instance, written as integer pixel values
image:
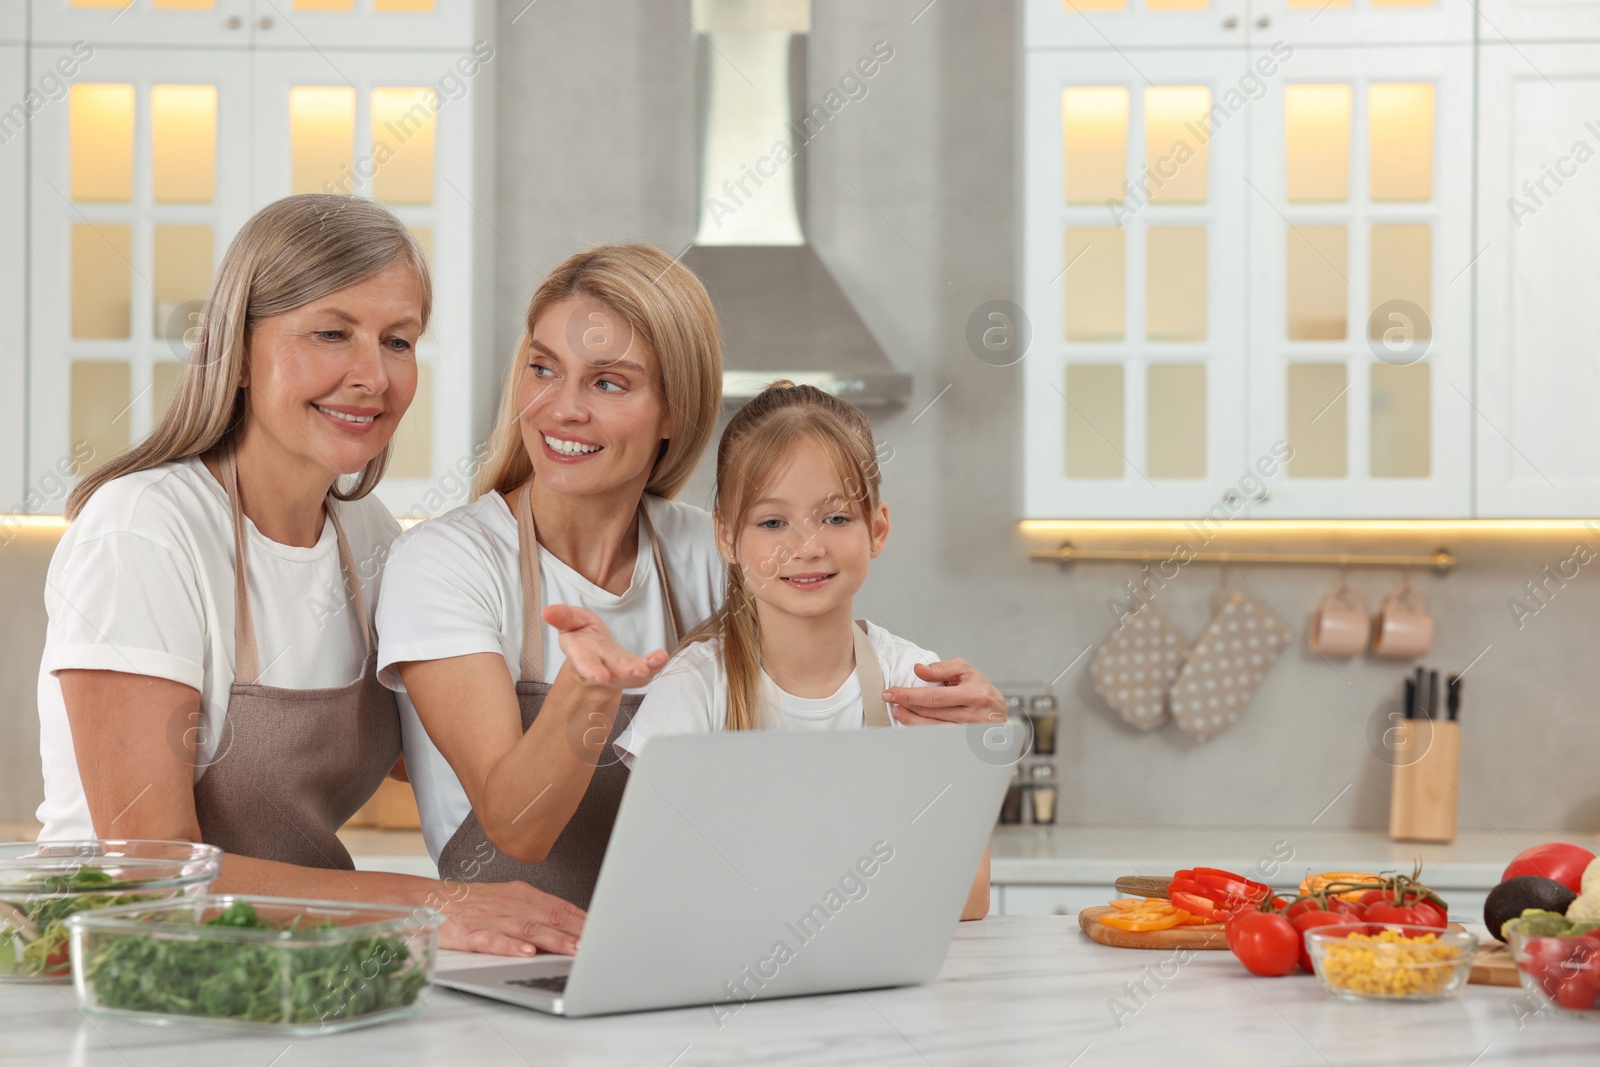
(298, 762)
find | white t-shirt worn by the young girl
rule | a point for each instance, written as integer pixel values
(690, 695)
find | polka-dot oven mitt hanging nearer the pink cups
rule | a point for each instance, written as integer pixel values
(1226, 666)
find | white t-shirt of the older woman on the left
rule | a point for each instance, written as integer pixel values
(143, 583)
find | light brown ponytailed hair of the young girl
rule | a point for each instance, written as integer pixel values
(754, 449)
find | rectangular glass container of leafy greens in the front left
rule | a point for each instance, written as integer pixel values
(255, 964)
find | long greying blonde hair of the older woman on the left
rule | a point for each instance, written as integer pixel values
(290, 254)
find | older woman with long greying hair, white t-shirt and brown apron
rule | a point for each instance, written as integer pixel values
(210, 669)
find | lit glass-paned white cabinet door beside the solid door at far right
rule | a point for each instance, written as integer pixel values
(1361, 295)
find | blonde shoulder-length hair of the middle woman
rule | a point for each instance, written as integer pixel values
(668, 308)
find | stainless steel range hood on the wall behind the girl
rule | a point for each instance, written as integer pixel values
(783, 313)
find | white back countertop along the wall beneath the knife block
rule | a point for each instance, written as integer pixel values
(1086, 855)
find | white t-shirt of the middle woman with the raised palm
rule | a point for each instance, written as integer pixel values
(454, 588)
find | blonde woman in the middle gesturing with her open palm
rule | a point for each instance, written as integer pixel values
(513, 625)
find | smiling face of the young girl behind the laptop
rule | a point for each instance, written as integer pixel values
(802, 546)
